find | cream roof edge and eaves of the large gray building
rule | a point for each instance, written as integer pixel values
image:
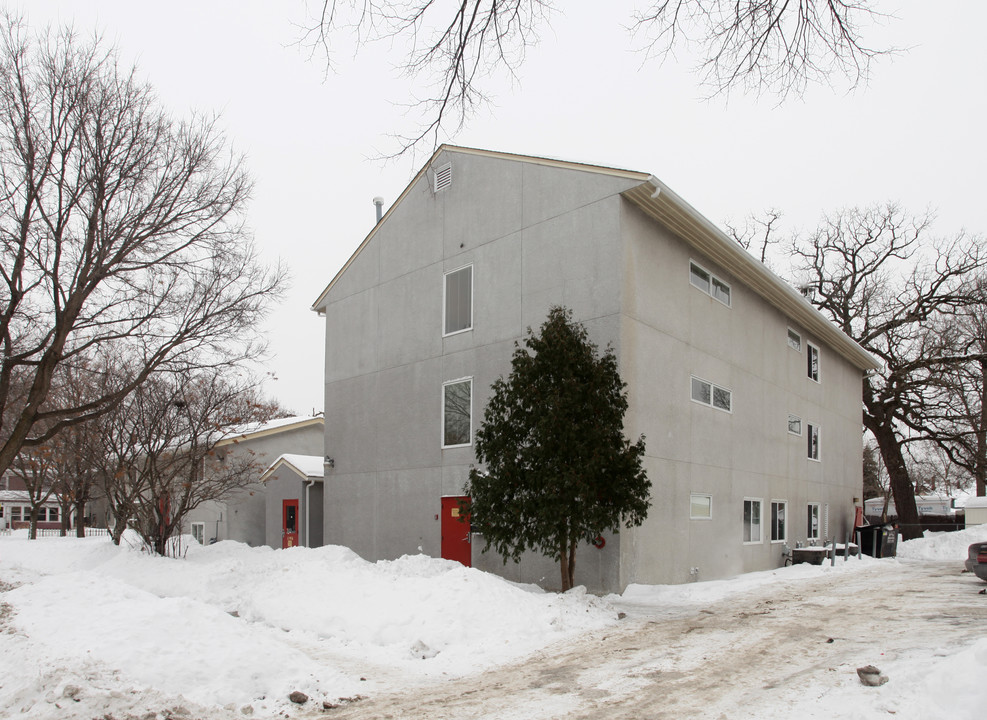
(661, 203)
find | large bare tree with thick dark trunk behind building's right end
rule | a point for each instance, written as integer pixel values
(880, 276)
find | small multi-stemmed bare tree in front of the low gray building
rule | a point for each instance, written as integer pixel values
(162, 450)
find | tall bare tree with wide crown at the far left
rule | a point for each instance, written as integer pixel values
(121, 233)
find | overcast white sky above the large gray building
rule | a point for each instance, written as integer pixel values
(915, 134)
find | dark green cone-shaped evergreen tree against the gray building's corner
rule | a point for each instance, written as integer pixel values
(559, 470)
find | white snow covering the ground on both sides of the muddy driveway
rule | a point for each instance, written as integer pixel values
(89, 630)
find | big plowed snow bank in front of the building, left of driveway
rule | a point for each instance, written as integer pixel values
(315, 620)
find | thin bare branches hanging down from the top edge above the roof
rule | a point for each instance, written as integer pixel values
(454, 48)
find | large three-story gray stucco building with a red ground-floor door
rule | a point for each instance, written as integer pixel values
(749, 398)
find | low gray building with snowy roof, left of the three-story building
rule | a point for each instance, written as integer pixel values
(244, 515)
